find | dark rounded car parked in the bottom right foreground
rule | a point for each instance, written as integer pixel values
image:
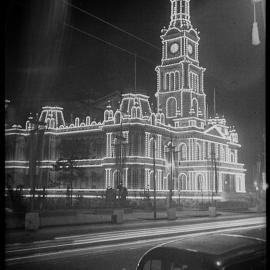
(222, 251)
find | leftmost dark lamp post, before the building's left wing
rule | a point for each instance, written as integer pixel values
(36, 128)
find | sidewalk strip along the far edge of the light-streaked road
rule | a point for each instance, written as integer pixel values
(137, 219)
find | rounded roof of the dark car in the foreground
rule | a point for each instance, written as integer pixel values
(217, 244)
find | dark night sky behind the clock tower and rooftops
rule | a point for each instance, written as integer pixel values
(49, 62)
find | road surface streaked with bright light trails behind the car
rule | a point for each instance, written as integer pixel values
(116, 250)
